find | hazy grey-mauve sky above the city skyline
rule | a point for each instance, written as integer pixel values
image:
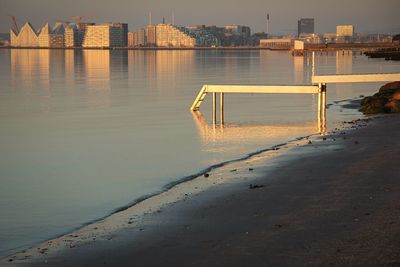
(368, 16)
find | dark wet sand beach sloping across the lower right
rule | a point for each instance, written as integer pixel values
(334, 202)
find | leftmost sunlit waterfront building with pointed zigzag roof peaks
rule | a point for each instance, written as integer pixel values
(26, 37)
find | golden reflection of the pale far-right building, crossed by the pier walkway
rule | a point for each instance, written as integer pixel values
(344, 65)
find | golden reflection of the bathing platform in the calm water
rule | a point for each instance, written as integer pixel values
(255, 133)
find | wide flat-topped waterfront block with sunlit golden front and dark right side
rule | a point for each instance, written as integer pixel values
(106, 35)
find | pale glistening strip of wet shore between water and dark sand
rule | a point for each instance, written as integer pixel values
(122, 218)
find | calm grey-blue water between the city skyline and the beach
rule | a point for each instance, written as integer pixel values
(85, 132)
